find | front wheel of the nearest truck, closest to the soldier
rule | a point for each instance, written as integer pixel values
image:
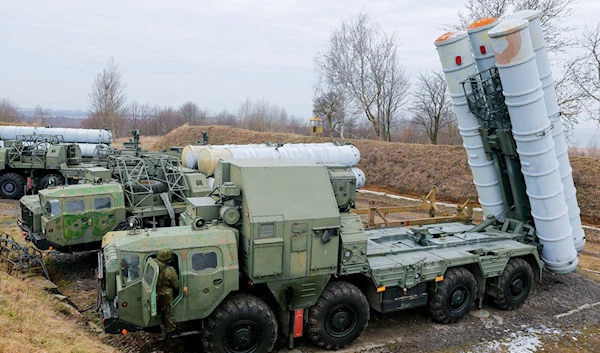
(241, 324)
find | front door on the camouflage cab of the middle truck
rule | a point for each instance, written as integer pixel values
(76, 219)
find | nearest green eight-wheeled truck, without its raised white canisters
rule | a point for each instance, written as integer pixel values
(276, 247)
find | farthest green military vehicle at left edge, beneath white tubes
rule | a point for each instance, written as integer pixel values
(32, 162)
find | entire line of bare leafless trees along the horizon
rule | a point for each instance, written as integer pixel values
(363, 89)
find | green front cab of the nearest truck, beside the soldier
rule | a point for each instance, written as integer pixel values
(205, 261)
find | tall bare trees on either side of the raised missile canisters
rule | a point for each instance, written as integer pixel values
(361, 77)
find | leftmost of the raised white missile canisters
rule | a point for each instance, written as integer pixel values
(458, 64)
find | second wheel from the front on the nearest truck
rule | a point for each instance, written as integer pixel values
(339, 317)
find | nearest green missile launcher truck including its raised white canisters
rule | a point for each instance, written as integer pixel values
(275, 244)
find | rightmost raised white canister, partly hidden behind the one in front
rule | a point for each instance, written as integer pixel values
(560, 143)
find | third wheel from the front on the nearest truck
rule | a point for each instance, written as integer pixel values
(454, 296)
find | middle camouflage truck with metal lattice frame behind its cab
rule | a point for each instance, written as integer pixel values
(150, 189)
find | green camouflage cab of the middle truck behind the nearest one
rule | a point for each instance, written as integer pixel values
(72, 218)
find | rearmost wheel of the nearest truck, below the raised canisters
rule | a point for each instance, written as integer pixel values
(515, 284)
